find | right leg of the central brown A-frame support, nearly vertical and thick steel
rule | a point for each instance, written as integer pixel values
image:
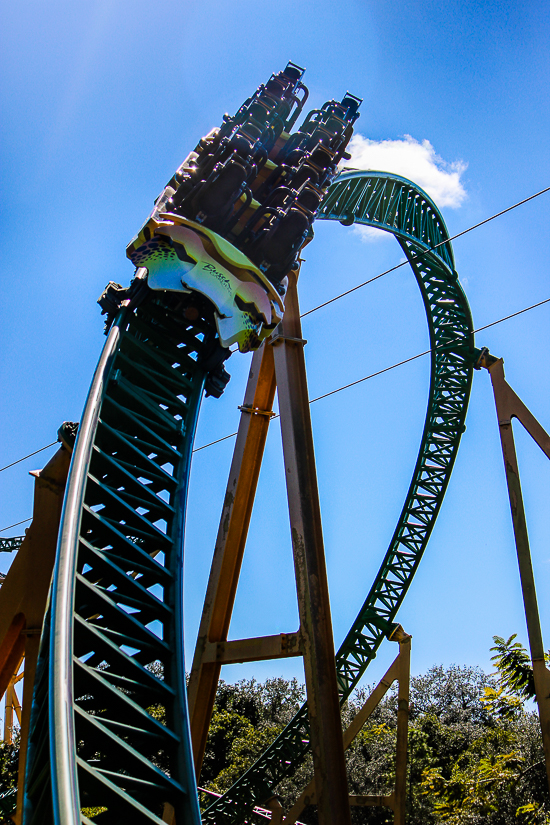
(309, 560)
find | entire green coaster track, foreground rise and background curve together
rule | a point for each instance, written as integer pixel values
(111, 652)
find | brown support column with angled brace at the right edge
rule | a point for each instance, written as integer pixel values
(508, 406)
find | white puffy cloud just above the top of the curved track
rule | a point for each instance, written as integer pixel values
(415, 160)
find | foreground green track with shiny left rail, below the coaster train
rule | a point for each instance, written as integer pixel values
(111, 654)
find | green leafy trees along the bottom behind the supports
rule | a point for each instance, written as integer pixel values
(475, 754)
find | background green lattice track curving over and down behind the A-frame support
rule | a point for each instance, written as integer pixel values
(396, 205)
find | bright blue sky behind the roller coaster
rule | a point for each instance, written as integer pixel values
(101, 101)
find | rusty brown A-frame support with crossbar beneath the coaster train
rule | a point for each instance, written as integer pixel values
(280, 363)
